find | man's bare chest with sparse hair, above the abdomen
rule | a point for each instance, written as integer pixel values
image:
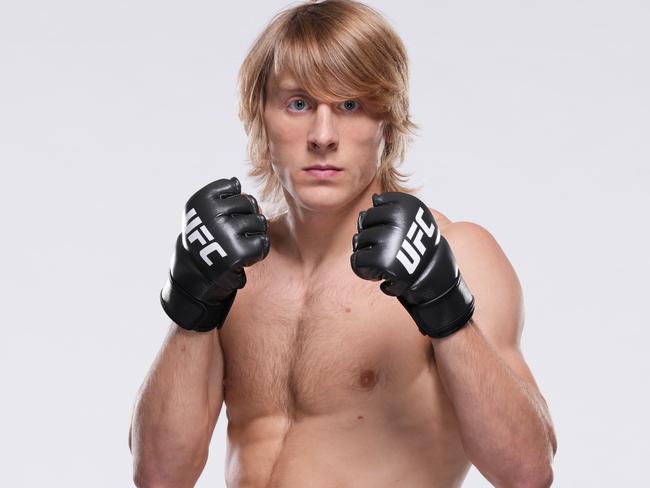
(336, 343)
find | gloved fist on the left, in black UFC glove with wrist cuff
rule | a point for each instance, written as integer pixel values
(223, 231)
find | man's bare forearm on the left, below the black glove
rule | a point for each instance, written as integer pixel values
(170, 430)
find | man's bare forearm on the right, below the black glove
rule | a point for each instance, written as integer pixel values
(502, 424)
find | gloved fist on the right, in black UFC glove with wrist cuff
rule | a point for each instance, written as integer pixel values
(398, 241)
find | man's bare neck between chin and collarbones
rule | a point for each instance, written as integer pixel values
(315, 239)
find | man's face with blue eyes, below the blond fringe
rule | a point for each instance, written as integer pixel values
(305, 133)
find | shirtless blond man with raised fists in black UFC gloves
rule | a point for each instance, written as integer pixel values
(342, 362)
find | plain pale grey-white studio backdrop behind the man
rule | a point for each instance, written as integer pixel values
(535, 123)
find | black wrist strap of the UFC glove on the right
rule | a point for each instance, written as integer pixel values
(445, 314)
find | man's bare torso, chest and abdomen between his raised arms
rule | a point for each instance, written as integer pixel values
(328, 383)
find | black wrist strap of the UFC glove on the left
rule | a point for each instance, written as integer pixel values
(192, 314)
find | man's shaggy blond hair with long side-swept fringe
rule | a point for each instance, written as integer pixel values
(335, 49)
